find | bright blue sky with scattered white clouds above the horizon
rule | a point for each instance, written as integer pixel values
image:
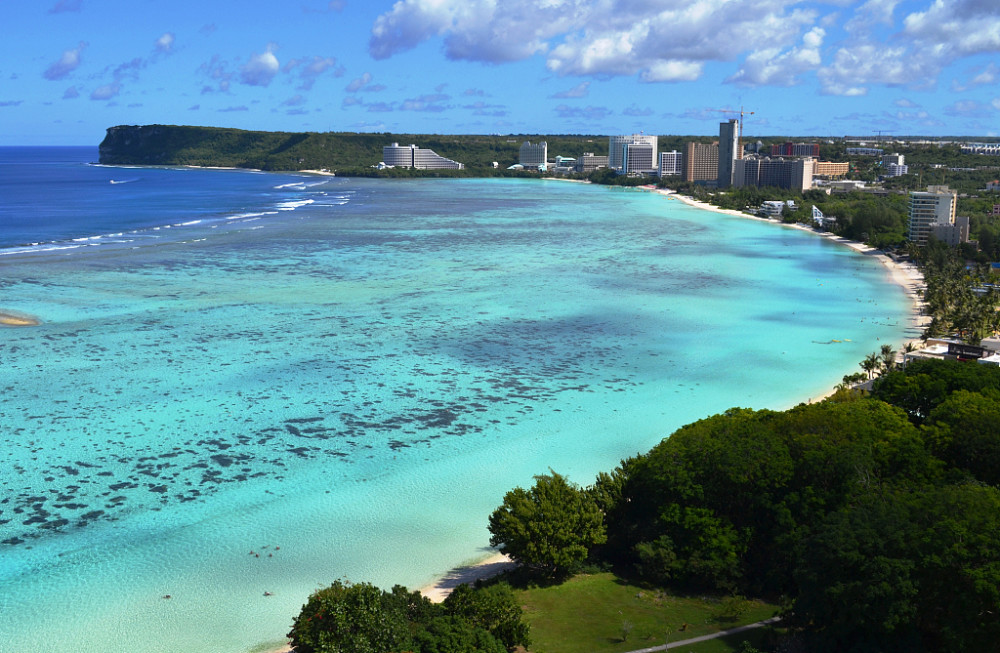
(71, 68)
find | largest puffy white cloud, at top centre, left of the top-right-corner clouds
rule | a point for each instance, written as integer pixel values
(661, 40)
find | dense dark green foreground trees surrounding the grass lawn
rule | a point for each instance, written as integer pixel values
(874, 519)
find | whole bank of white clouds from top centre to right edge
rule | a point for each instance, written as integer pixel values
(780, 42)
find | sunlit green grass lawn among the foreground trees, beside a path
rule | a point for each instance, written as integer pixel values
(591, 613)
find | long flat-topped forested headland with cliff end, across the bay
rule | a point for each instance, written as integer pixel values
(336, 151)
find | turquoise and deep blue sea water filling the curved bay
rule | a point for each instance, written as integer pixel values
(247, 382)
